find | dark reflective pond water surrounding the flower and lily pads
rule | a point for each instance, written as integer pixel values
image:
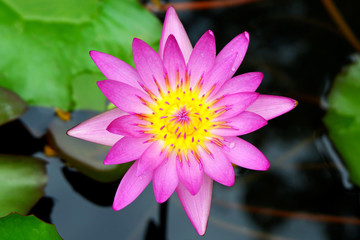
(306, 193)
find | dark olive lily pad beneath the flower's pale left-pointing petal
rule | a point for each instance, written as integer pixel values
(84, 156)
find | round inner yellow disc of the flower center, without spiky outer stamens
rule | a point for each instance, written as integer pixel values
(182, 120)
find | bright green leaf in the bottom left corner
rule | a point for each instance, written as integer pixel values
(16, 227)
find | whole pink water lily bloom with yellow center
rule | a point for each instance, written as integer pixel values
(178, 116)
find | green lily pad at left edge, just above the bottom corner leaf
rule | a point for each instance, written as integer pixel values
(22, 182)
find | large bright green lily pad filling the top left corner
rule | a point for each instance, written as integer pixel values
(45, 45)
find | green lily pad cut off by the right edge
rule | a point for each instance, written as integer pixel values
(343, 118)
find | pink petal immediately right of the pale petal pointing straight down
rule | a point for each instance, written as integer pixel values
(216, 165)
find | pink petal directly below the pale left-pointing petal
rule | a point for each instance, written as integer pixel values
(125, 150)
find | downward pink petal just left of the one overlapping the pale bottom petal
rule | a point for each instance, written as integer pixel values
(165, 180)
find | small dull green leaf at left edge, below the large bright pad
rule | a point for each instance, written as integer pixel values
(11, 106)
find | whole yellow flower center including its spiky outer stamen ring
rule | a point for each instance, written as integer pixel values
(182, 118)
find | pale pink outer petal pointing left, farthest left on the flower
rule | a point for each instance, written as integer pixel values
(94, 129)
